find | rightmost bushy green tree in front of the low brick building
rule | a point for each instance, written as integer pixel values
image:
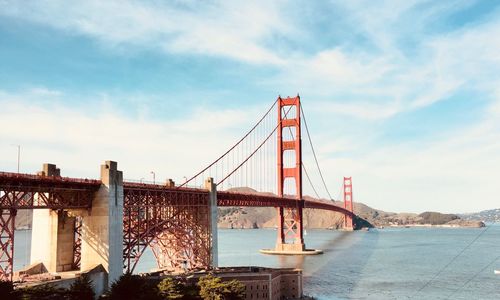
(213, 288)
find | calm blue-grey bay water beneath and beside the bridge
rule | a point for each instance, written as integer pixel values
(378, 264)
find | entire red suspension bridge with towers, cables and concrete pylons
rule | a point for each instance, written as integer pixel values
(80, 223)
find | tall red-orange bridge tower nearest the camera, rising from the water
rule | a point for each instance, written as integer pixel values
(290, 220)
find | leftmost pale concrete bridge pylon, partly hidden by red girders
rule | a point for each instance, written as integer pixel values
(52, 235)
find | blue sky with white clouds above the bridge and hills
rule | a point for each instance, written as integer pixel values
(404, 96)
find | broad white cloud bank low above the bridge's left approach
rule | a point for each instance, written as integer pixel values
(79, 139)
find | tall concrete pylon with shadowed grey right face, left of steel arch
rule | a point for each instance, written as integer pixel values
(102, 228)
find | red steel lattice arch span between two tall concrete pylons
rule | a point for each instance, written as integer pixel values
(173, 221)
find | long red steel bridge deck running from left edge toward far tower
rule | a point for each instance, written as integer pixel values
(17, 191)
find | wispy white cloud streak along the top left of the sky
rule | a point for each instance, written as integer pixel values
(221, 28)
